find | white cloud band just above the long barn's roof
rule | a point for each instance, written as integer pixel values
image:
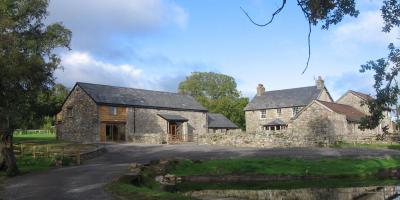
(83, 67)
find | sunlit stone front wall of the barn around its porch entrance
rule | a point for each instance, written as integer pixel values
(143, 122)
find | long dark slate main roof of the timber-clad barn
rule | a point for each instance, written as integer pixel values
(105, 94)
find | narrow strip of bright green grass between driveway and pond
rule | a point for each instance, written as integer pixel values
(339, 167)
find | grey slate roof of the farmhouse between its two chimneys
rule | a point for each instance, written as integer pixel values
(284, 98)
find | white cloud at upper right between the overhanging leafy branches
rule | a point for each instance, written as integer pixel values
(366, 29)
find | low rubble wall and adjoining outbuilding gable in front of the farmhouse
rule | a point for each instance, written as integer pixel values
(315, 126)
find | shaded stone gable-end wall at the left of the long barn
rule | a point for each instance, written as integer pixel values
(83, 125)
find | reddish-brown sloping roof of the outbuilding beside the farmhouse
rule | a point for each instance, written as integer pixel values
(352, 114)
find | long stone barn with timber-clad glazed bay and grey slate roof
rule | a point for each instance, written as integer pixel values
(100, 113)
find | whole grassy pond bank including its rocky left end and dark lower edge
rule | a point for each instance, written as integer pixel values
(340, 172)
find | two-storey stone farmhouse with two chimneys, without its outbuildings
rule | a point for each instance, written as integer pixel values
(273, 110)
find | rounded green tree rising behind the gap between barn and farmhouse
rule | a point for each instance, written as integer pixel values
(218, 93)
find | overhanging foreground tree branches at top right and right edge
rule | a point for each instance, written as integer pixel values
(331, 12)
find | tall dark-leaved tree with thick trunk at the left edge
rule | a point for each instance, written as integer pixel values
(27, 64)
